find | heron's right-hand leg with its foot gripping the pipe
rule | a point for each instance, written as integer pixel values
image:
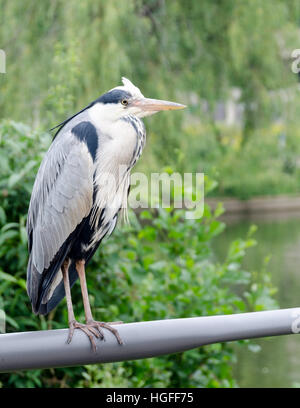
(91, 323)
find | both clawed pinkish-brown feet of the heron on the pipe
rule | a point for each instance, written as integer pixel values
(93, 330)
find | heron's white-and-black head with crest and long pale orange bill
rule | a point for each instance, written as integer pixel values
(128, 100)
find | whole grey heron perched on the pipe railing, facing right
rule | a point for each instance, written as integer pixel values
(74, 203)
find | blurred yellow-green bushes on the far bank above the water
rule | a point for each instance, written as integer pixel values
(268, 164)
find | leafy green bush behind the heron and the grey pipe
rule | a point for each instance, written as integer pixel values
(159, 266)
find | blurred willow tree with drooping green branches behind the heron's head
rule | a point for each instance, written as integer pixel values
(61, 55)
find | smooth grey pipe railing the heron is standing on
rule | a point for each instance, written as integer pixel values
(45, 349)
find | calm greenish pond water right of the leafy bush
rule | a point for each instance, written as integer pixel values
(277, 364)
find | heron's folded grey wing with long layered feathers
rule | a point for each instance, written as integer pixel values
(62, 197)
